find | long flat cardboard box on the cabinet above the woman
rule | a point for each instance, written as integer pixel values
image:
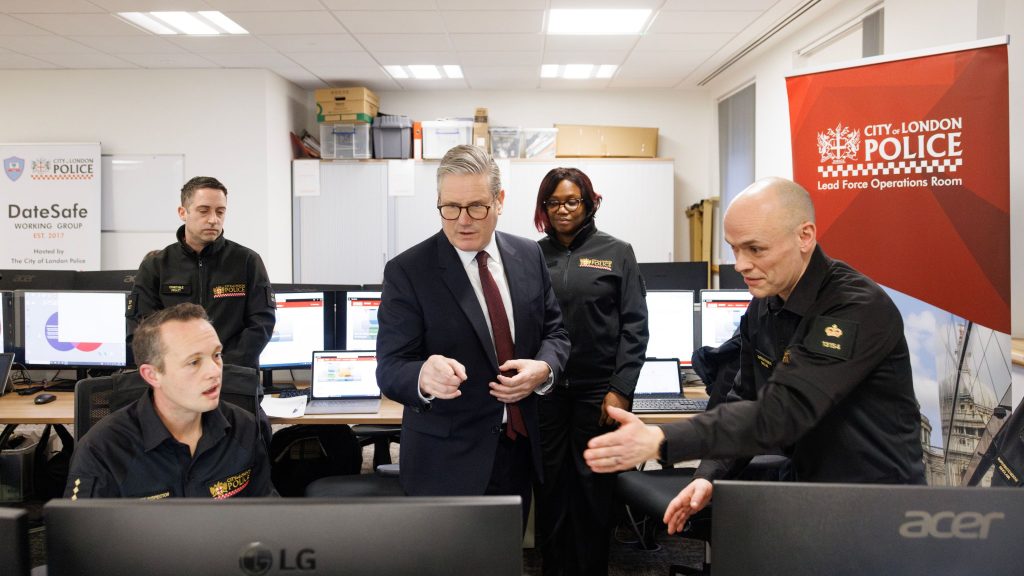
(606, 142)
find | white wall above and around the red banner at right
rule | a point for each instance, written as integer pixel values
(910, 25)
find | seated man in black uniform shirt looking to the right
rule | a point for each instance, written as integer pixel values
(179, 440)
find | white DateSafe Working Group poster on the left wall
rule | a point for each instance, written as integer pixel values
(52, 202)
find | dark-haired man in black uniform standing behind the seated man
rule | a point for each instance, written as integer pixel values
(227, 279)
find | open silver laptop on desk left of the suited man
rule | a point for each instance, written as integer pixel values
(345, 383)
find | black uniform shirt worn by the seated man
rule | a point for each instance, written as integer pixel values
(131, 455)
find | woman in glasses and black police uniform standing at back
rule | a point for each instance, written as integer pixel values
(599, 286)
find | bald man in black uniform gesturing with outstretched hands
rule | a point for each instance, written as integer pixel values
(825, 366)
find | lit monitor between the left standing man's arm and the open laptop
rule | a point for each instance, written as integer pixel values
(305, 324)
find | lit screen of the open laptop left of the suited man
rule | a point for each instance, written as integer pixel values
(342, 375)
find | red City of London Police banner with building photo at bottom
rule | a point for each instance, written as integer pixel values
(908, 161)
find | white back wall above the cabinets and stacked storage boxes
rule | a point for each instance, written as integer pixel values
(685, 119)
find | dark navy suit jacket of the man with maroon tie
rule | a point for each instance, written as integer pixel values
(429, 307)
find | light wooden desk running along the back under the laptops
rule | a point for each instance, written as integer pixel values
(21, 410)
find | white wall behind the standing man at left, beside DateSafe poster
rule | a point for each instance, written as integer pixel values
(232, 125)
